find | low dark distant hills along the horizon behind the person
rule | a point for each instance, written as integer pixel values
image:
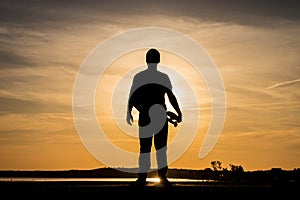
(274, 175)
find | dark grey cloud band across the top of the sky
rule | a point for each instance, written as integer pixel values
(63, 12)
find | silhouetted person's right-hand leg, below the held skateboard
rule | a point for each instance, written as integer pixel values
(160, 143)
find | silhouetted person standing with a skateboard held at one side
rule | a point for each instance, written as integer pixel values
(147, 95)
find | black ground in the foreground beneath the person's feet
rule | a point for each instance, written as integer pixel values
(94, 189)
